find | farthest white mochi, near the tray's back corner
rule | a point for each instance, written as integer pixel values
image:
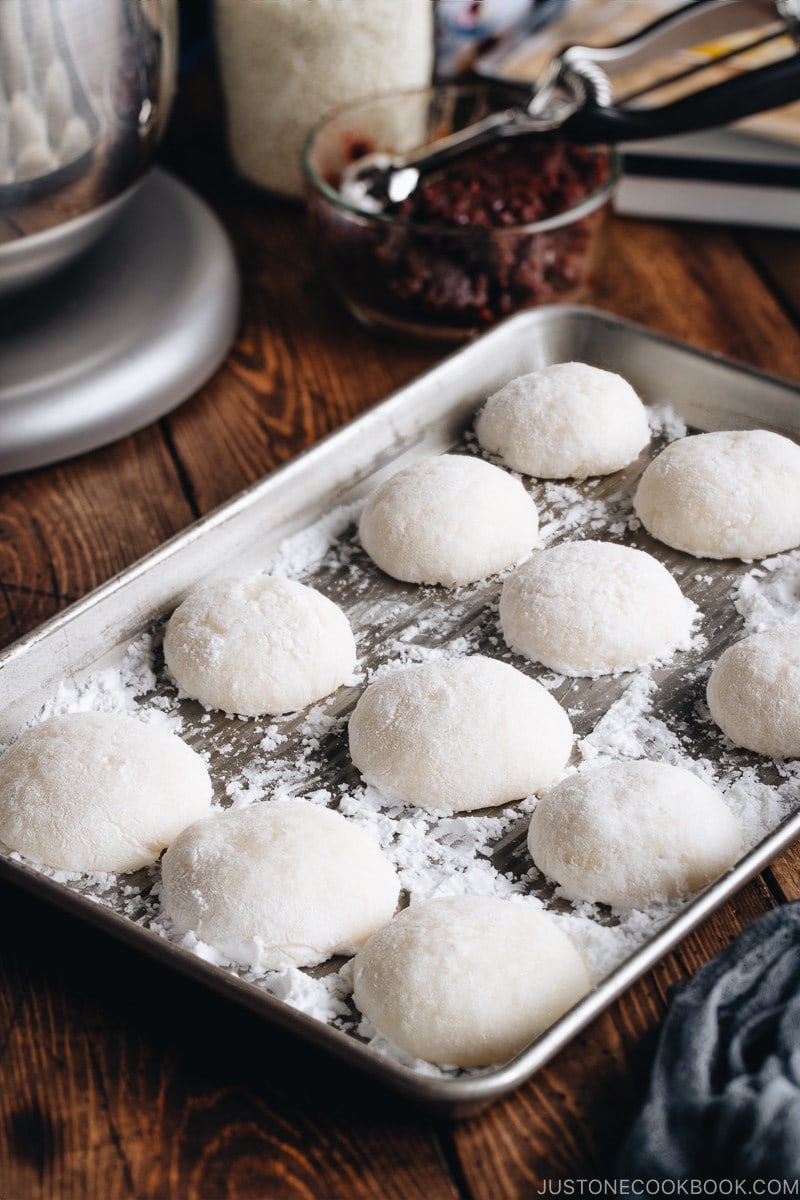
(566, 422)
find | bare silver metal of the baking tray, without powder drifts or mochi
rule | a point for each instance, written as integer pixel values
(434, 415)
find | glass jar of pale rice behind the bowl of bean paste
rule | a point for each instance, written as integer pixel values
(285, 64)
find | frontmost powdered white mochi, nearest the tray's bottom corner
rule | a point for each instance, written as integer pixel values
(468, 981)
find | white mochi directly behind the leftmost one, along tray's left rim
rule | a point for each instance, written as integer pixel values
(258, 645)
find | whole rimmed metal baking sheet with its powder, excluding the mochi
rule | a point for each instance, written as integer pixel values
(302, 520)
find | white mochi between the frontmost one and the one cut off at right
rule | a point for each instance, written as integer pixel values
(633, 835)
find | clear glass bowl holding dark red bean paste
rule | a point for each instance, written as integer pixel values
(516, 225)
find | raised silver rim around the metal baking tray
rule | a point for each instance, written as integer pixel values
(450, 1096)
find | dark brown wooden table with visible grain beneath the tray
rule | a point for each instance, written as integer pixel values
(119, 1081)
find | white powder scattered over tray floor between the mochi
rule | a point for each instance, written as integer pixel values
(658, 713)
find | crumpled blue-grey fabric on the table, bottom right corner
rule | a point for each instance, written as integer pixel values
(724, 1100)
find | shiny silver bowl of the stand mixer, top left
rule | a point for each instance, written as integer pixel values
(86, 92)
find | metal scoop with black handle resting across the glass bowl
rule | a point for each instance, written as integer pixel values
(576, 95)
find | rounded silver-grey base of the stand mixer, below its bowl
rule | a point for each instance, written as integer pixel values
(123, 335)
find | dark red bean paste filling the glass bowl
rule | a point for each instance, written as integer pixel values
(455, 256)
